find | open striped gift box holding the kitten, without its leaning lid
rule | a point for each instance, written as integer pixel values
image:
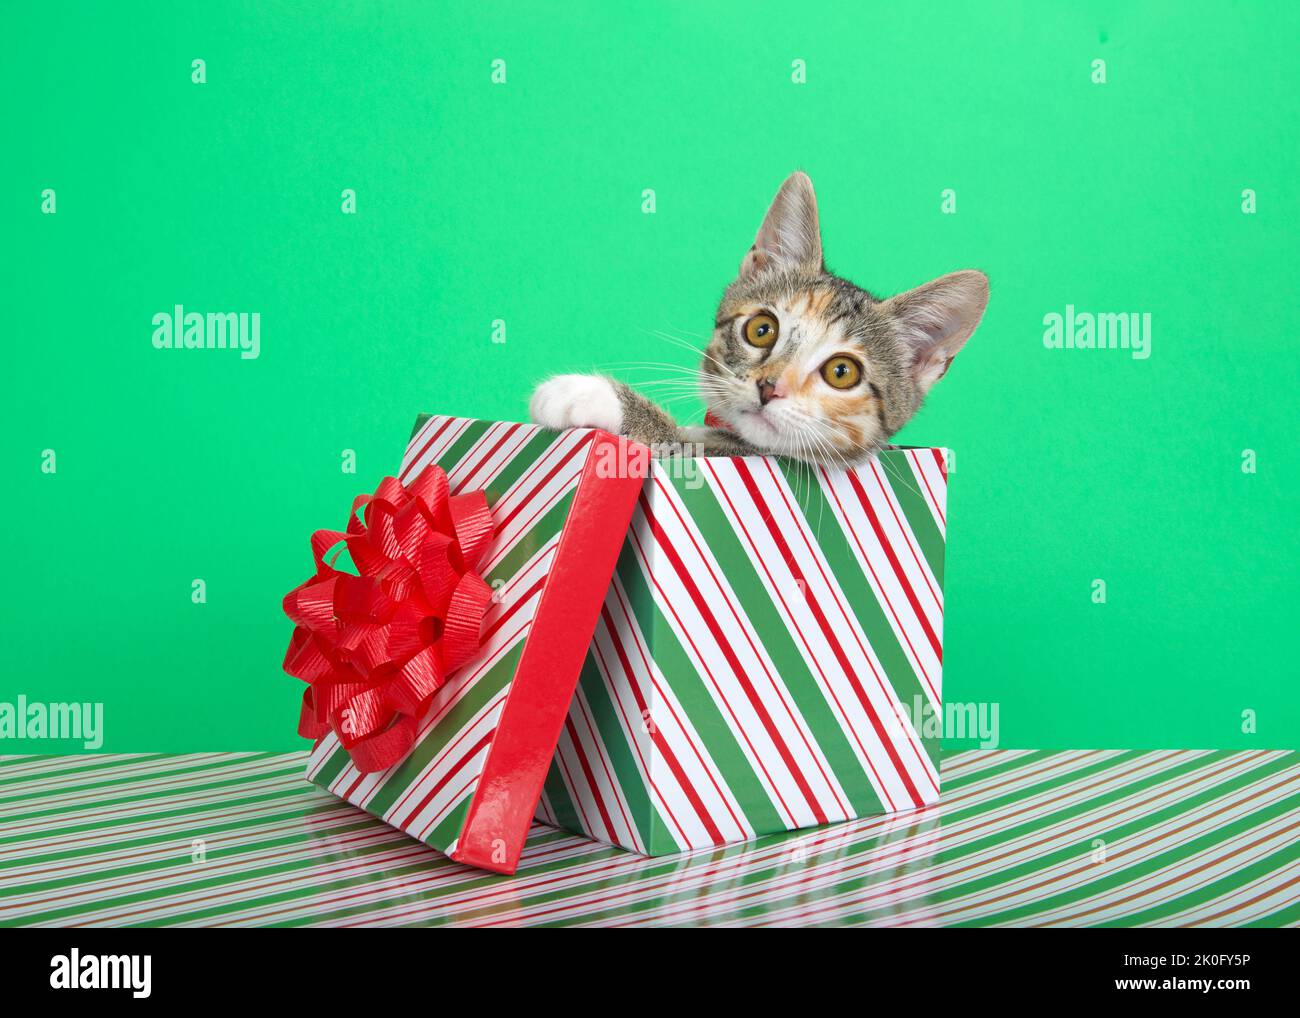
(769, 656)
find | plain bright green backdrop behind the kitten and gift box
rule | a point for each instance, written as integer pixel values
(523, 202)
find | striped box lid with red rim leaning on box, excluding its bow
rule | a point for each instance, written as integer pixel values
(561, 504)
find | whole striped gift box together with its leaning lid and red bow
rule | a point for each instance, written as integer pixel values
(658, 655)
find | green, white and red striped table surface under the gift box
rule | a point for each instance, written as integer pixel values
(1089, 838)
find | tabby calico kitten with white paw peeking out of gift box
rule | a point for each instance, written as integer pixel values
(803, 363)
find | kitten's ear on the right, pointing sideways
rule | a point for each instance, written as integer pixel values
(938, 319)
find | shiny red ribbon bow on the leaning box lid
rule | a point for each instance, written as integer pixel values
(375, 648)
